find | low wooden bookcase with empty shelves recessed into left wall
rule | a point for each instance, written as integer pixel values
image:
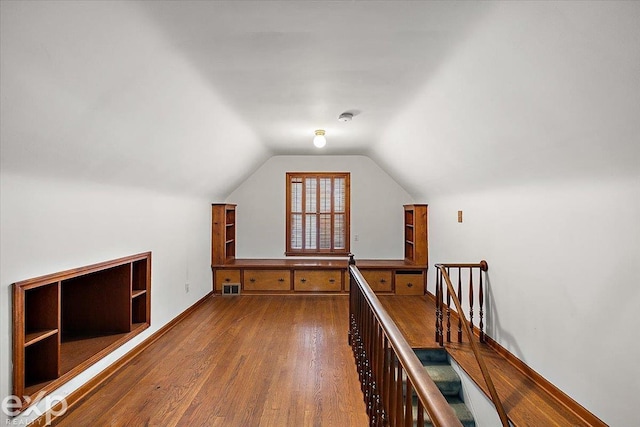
(64, 322)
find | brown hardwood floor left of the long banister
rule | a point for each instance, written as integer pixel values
(239, 361)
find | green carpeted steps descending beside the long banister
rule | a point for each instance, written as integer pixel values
(437, 365)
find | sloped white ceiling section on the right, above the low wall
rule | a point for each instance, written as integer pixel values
(538, 91)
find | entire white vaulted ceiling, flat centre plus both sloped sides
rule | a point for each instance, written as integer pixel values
(193, 96)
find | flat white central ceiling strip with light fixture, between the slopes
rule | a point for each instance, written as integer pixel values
(288, 68)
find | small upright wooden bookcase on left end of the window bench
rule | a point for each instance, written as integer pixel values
(223, 233)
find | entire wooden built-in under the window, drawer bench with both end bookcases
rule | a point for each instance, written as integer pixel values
(404, 276)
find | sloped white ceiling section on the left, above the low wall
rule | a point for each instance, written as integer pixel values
(95, 91)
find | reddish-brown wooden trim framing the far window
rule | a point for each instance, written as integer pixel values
(347, 237)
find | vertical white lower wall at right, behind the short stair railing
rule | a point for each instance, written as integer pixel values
(563, 283)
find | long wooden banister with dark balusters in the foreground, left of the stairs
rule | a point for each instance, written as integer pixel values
(389, 371)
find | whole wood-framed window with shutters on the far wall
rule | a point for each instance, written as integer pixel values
(318, 213)
